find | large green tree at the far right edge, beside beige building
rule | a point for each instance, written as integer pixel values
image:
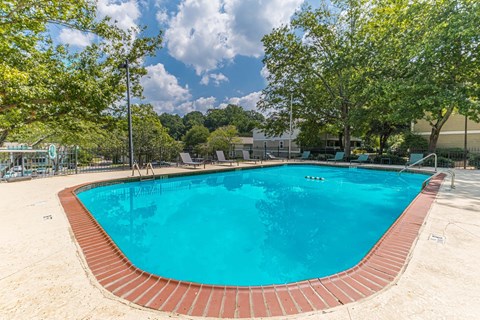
(428, 56)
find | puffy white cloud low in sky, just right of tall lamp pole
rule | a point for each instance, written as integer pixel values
(162, 89)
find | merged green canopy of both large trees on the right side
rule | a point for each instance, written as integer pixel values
(371, 67)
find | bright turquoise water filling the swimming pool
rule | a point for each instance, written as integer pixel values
(252, 227)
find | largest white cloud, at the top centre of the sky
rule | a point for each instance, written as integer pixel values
(208, 33)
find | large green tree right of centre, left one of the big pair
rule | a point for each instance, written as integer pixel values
(317, 64)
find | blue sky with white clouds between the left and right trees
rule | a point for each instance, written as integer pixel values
(212, 49)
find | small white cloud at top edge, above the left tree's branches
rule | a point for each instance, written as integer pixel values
(124, 13)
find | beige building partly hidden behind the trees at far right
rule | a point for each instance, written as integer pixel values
(452, 134)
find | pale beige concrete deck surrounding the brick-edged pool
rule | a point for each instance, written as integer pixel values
(43, 274)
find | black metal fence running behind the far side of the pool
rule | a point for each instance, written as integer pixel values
(73, 160)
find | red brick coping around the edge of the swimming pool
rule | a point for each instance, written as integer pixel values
(378, 269)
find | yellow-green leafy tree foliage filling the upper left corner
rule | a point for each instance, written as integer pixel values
(67, 92)
